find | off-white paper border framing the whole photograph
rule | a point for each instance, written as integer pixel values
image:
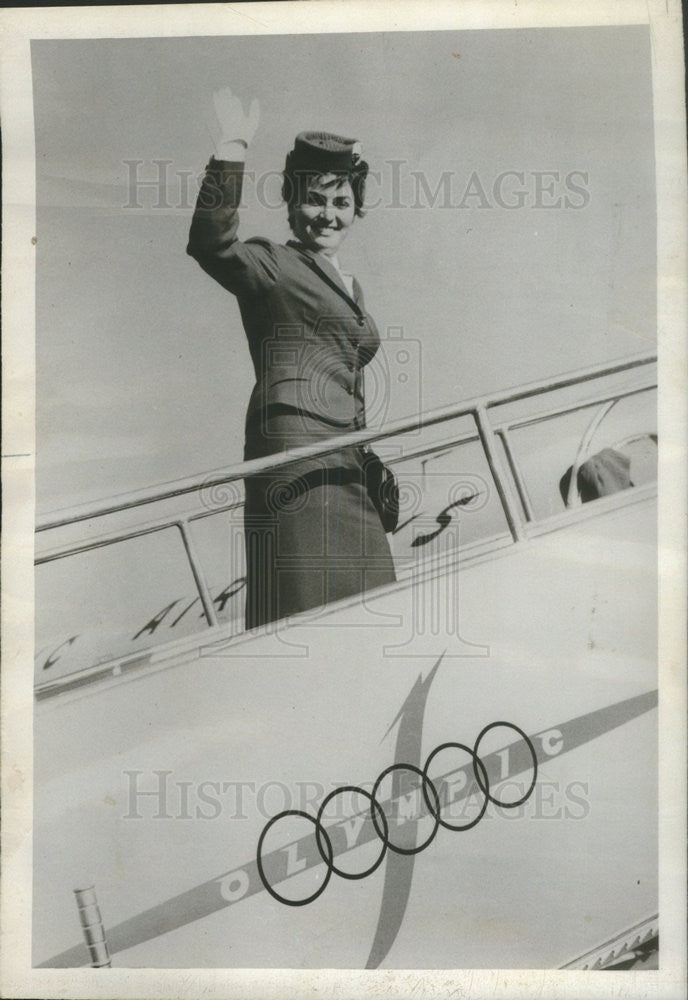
(19, 27)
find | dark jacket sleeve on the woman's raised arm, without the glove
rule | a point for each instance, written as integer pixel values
(242, 268)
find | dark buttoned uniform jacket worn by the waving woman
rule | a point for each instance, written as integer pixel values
(308, 338)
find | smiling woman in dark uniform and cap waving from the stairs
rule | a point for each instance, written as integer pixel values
(313, 534)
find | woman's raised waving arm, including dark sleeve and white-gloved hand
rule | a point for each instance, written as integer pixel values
(213, 242)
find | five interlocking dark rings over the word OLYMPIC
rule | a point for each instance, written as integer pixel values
(379, 819)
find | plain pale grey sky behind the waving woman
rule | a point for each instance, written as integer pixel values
(143, 373)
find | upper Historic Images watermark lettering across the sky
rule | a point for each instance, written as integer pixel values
(161, 185)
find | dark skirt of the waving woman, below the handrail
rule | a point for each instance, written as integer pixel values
(312, 537)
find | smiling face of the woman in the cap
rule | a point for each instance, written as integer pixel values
(322, 220)
